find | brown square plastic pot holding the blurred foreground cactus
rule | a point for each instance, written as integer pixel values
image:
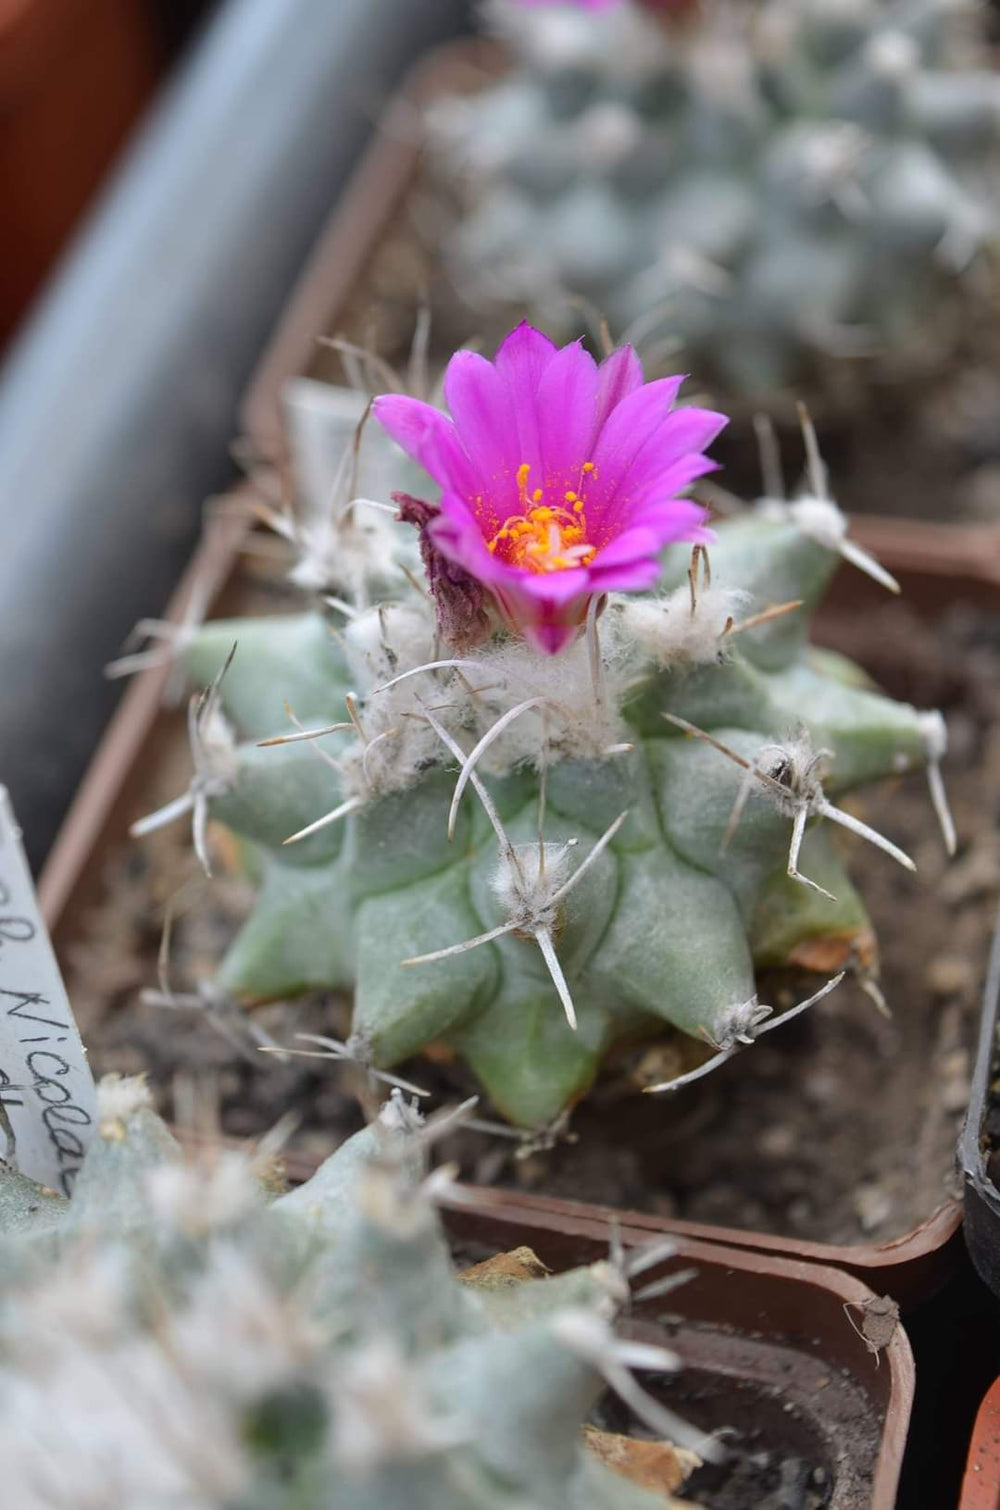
(765, 1342)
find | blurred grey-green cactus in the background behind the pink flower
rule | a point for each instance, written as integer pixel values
(774, 183)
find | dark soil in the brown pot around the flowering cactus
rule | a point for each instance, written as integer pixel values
(839, 1129)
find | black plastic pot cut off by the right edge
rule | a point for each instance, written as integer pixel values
(983, 1198)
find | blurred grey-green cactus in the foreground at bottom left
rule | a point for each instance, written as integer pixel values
(174, 1336)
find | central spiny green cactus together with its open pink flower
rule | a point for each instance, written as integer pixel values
(641, 771)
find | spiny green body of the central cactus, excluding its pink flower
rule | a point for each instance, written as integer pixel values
(644, 905)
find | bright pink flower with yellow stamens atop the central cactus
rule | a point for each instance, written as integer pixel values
(560, 478)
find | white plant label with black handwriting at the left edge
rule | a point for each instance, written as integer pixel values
(48, 1097)
